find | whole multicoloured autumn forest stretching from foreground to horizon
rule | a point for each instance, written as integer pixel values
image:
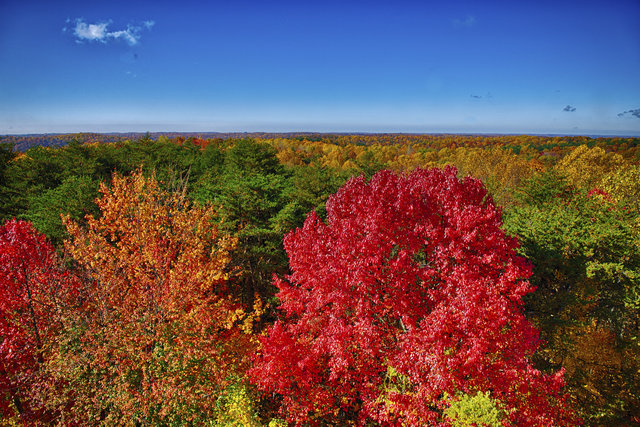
(316, 279)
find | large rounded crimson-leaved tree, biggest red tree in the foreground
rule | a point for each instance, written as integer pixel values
(405, 300)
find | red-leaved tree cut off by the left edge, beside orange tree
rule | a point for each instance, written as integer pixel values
(31, 286)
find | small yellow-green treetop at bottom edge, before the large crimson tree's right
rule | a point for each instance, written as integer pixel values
(474, 410)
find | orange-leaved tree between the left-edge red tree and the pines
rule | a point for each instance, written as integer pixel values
(159, 339)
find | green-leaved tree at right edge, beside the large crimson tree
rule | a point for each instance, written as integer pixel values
(582, 248)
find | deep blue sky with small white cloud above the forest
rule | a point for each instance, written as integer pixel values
(398, 66)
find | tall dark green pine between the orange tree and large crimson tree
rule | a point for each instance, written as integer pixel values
(250, 194)
